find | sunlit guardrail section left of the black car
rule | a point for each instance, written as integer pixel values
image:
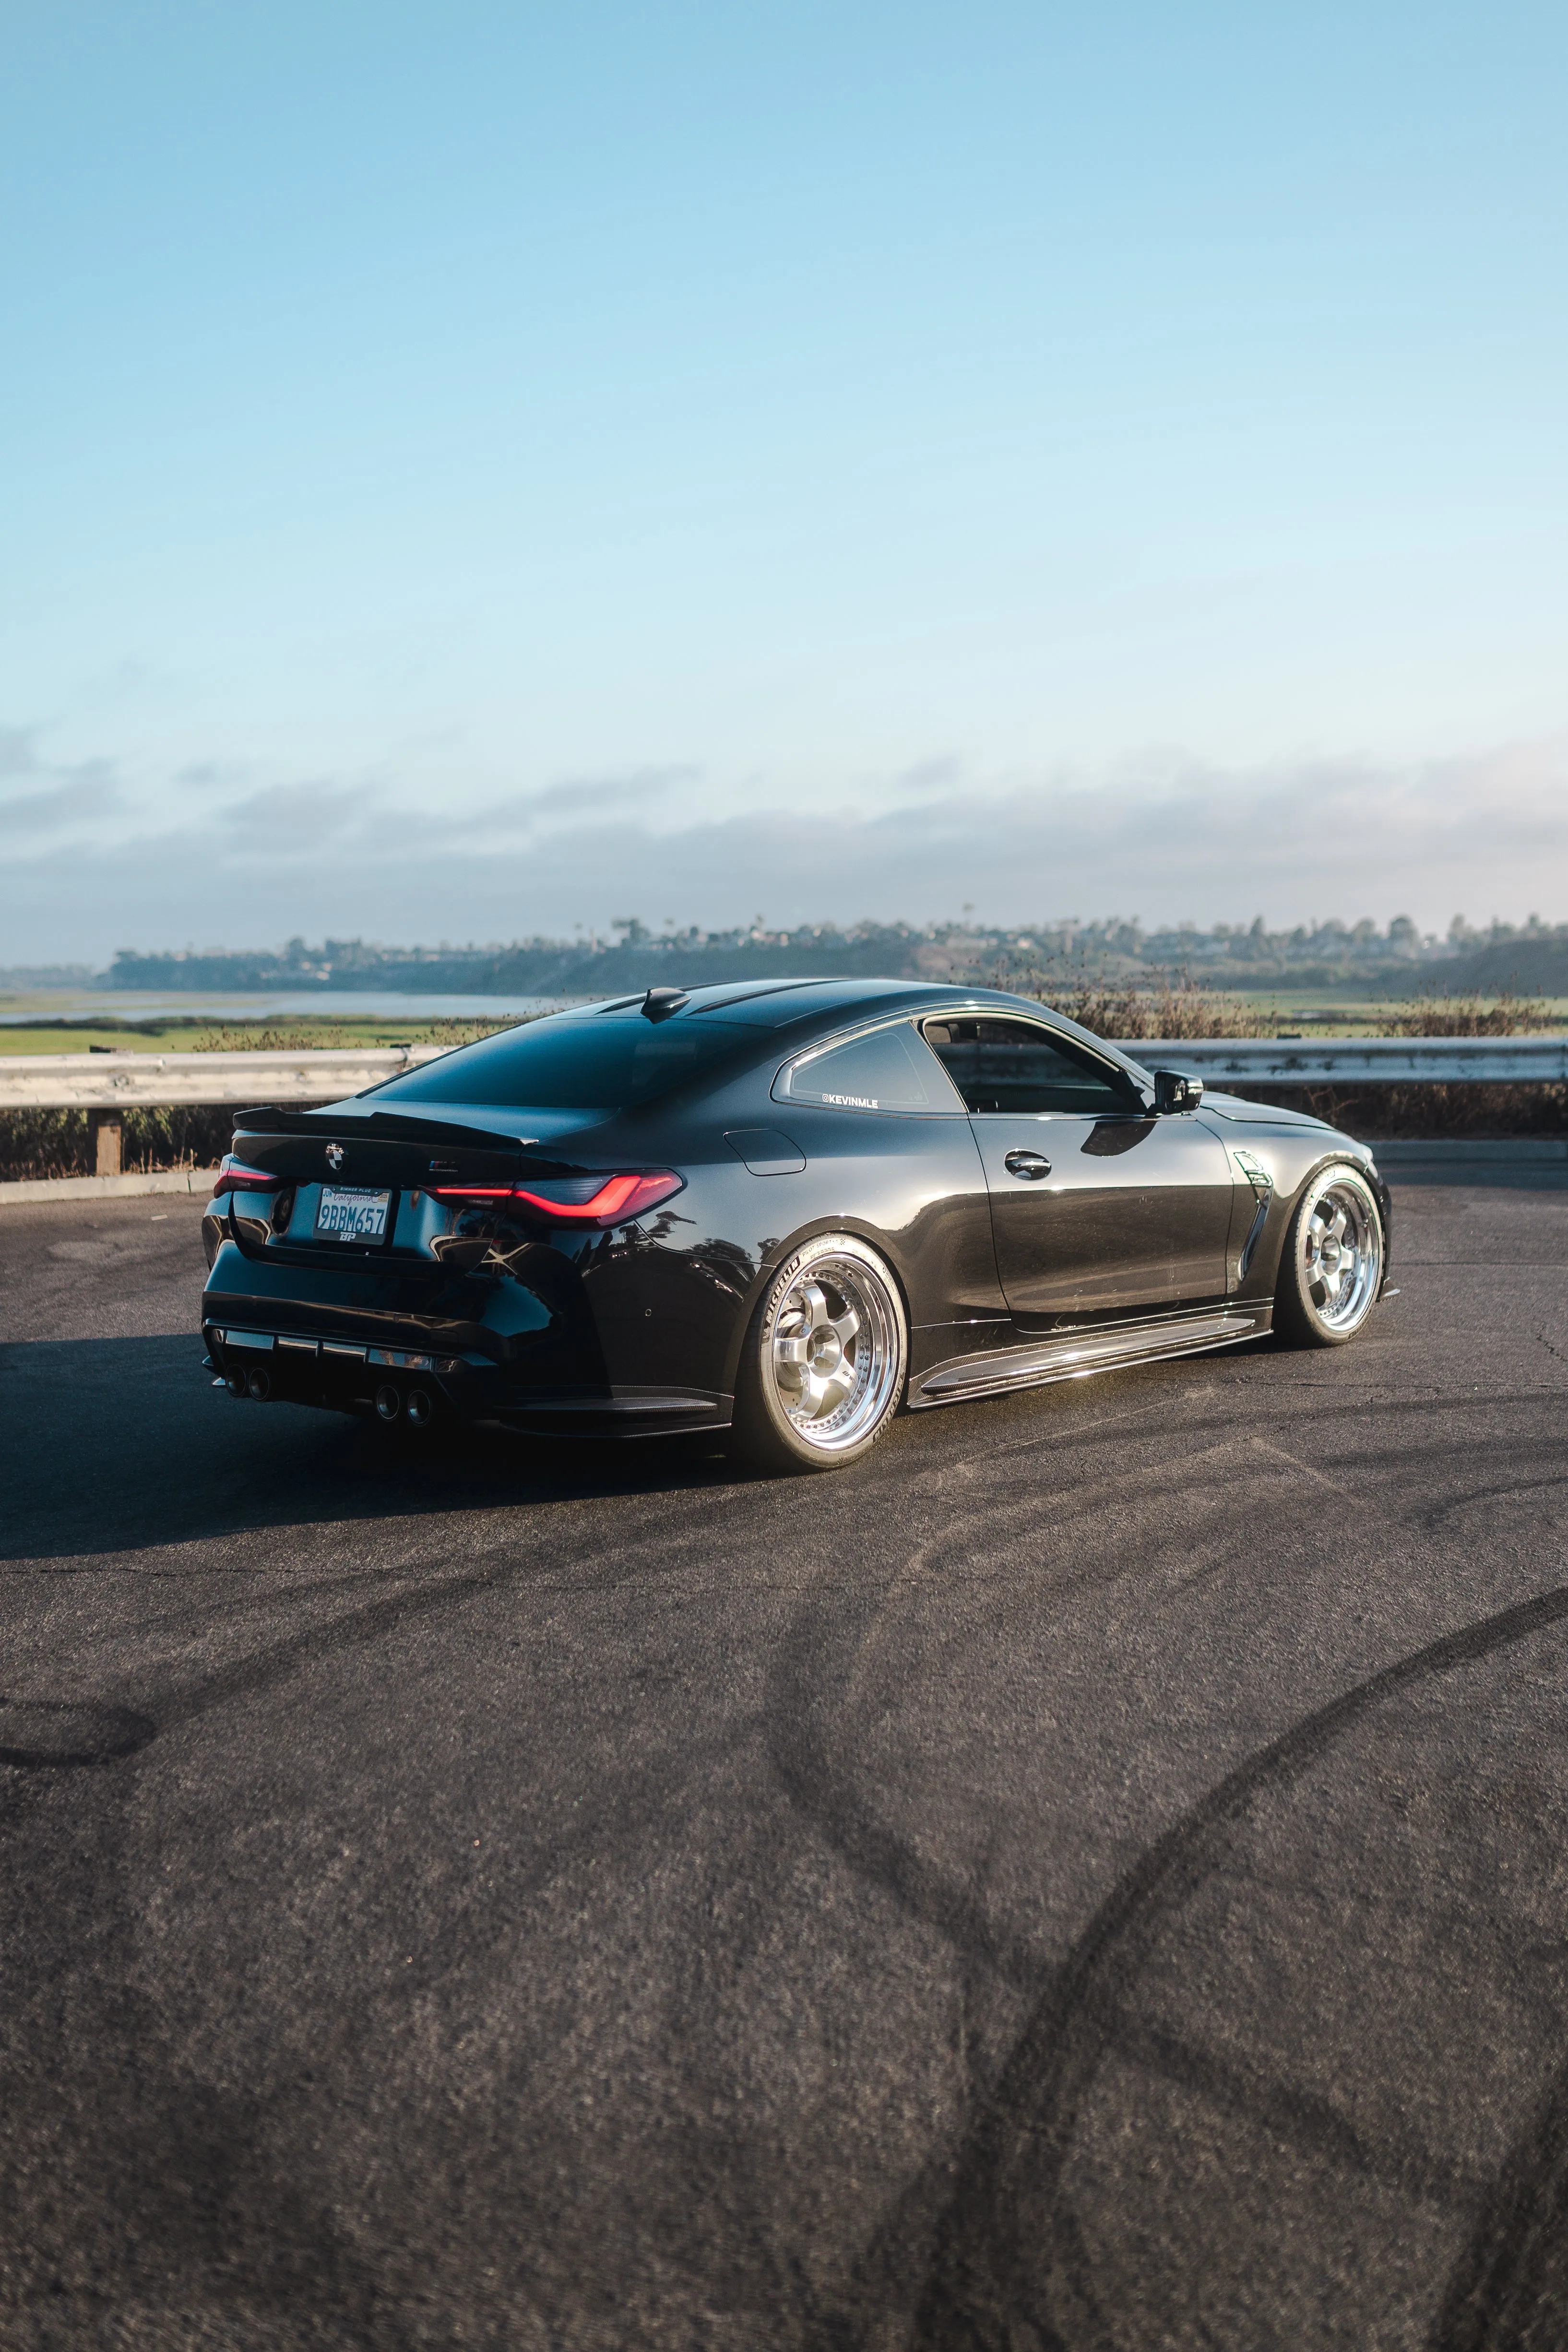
(126, 1081)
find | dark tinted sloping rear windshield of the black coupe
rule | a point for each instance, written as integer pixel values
(598, 1064)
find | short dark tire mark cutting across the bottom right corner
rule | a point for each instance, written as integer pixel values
(1510, 2287)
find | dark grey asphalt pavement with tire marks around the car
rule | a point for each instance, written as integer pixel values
(1094, 1876)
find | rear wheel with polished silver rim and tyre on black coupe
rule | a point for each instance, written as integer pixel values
(824, 1361)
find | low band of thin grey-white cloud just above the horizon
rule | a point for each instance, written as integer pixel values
(1165, 841)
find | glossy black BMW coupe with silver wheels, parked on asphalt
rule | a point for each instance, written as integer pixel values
(779, 1210)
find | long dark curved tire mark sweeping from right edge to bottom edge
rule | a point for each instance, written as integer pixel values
(1007, 2266)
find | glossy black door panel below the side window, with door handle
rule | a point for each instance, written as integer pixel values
(1132, 1220)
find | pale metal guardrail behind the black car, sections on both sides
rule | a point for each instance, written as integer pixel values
(319, 1076)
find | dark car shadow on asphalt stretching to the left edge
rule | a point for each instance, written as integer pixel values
(123, 1445)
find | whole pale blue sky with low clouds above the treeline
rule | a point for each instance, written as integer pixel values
(488, 469)
